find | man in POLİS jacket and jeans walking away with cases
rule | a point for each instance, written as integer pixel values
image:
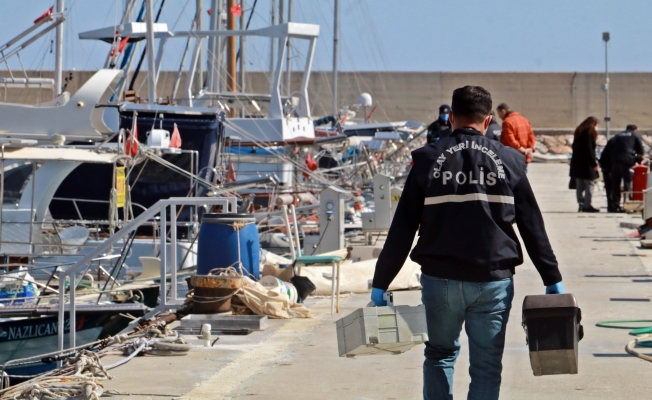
(463, 195)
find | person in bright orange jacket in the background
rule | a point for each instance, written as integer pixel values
(517, 131)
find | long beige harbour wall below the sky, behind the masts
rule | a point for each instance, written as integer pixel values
(554, 102)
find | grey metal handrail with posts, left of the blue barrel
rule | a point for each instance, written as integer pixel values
(161, 208)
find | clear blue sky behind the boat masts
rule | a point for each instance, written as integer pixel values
(389, 35)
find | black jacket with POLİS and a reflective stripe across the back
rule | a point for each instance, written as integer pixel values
(463, 195)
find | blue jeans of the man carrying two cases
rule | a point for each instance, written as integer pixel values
(484, 308)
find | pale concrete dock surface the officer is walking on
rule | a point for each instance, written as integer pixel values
(297, 359)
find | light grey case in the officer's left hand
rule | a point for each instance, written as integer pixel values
(381, 330)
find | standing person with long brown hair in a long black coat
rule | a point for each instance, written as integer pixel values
(584, 163)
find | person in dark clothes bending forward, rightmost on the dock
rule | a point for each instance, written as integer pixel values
(626, 150)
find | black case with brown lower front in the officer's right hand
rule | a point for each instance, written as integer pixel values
(553, 330)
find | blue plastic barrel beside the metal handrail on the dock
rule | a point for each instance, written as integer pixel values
(217, 245)
